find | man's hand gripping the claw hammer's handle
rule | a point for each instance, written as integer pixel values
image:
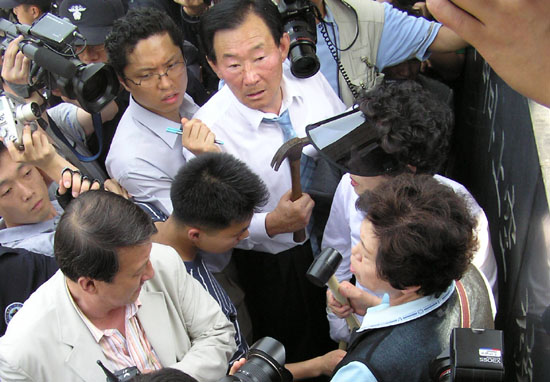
(289, 216)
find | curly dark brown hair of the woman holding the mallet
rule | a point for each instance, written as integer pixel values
(425, 232)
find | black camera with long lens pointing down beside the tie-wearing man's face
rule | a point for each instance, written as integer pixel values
(299, 22)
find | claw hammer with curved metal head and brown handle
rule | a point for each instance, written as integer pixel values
(292, 149)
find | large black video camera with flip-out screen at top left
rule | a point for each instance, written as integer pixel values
(50, 43)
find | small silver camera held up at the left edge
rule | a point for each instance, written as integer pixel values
(14, 116)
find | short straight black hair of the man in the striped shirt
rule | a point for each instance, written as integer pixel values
(215, 190)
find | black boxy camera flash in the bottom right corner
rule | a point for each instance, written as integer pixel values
(476, 355)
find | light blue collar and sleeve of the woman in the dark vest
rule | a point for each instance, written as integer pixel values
(384, 315)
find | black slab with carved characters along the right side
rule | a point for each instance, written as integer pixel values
(495, 156)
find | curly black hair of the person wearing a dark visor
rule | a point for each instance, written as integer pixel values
(415, 127)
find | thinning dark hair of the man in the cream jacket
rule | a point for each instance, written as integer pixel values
(94, 226)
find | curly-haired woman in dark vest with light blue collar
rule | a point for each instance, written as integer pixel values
(416, 242)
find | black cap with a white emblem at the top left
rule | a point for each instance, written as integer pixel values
(94, 18)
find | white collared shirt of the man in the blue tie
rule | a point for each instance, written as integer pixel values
(255, 142)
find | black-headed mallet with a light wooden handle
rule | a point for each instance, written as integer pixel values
(321, 272)
